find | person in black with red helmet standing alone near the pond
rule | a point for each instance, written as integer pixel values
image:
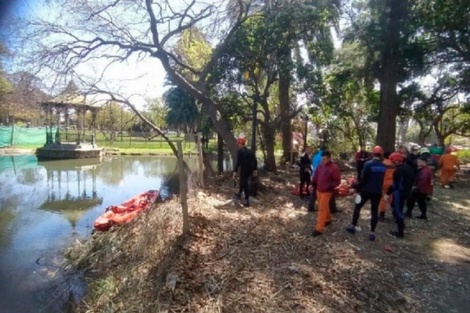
(248, 166)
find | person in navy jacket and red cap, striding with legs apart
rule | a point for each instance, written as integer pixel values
(370, 188)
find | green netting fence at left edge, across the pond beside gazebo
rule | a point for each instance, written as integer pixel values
(22, 136)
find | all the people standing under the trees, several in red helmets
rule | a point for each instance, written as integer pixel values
(388, 180)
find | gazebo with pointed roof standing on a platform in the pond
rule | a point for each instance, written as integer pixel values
(67, 139)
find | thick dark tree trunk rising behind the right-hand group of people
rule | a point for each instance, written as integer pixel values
(394, 13)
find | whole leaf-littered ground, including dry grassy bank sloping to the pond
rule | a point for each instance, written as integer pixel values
(262, 259)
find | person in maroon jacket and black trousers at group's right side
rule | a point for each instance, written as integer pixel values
(421, 189)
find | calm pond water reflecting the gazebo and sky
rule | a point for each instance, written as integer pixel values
(45, 206)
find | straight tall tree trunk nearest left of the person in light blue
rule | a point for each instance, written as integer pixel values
(284, 102)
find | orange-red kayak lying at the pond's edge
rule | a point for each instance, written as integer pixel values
(126, 211)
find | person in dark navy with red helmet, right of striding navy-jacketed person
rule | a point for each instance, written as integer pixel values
(401, 188)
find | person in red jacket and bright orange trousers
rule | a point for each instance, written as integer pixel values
(327, 178)
